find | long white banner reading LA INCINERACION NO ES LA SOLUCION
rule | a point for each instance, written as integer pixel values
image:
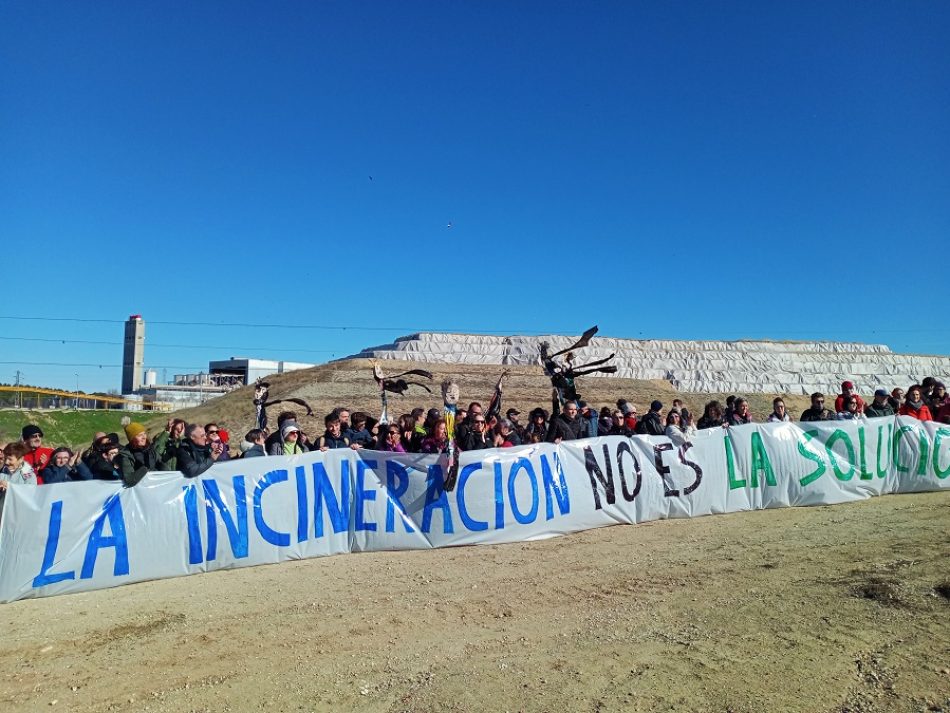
(73, 537)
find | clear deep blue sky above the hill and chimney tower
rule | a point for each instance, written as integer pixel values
(665, 170)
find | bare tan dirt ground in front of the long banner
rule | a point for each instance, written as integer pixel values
(839, 608)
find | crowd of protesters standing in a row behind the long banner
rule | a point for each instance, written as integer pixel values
(193, 448)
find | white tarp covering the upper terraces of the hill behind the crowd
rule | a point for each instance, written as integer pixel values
(692, 366)
